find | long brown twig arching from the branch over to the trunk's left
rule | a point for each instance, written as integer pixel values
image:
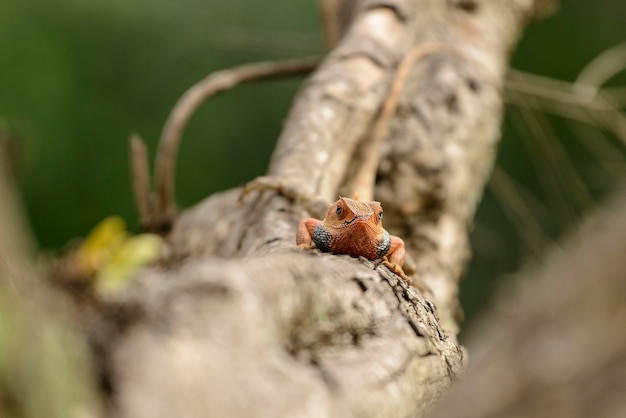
(186, 106)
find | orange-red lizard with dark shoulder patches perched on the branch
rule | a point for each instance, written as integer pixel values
(354, 227)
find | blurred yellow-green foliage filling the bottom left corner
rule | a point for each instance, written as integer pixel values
(44, 366)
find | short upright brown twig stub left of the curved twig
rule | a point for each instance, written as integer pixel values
(140, 174)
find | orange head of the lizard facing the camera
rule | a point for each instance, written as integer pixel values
(354, 213)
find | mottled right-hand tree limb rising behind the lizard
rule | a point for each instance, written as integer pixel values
(443, 138)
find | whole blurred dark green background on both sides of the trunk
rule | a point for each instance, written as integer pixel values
(77, 77)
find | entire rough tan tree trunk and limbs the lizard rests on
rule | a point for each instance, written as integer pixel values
(236, 322)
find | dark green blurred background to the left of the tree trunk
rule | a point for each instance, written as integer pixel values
(78, 77)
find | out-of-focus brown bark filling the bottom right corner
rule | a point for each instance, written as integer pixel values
(554, 345)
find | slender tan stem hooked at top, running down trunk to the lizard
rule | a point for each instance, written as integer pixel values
(365, 178)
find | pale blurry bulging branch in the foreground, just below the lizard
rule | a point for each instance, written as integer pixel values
(312, 342)
